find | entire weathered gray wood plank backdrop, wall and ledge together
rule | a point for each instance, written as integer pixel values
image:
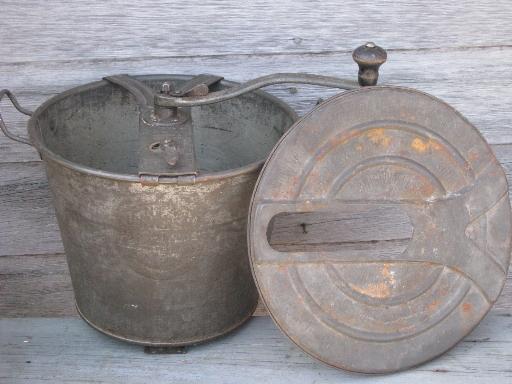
(458, 51)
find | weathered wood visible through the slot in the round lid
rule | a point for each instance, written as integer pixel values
(373, 229)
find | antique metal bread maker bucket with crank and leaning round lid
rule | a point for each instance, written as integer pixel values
(378, 232)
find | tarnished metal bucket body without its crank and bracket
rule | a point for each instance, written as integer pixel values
(156, 262)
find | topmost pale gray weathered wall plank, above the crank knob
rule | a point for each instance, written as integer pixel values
(56, 30)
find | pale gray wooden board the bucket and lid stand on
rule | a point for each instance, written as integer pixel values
(39, 350)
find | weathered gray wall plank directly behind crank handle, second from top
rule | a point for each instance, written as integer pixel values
(467, 79)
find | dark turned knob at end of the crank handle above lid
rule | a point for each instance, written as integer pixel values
(369, 57)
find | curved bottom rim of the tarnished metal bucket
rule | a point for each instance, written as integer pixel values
(165, 344)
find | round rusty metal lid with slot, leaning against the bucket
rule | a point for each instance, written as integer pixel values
(380, 230)
